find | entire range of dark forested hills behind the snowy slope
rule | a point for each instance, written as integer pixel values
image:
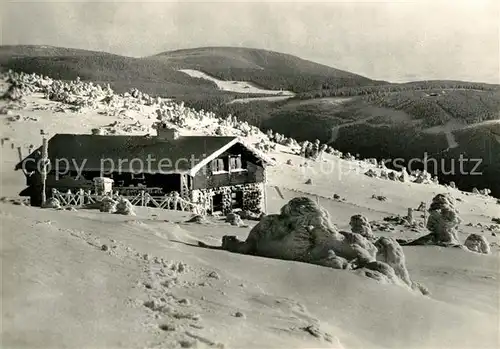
(353, 113)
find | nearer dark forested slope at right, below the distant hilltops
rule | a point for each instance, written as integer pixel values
(372, 129)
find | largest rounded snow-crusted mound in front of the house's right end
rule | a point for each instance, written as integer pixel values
(302, 231)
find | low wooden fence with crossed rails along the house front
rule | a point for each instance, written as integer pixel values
(168, 202)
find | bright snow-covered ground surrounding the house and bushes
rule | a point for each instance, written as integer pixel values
(152, 287)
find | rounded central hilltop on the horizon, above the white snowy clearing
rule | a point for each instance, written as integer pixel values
(272, 70)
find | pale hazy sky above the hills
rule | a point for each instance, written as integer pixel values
(396, 40)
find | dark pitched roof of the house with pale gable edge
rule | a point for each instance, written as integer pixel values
(132, 153)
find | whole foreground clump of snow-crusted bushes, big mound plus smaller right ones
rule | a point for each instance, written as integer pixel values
(302, 231)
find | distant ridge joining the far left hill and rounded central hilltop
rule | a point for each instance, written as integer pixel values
(269, 69)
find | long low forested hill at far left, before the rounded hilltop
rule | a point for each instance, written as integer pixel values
(122, 73)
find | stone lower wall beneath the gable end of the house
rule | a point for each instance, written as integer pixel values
(253, 198)
